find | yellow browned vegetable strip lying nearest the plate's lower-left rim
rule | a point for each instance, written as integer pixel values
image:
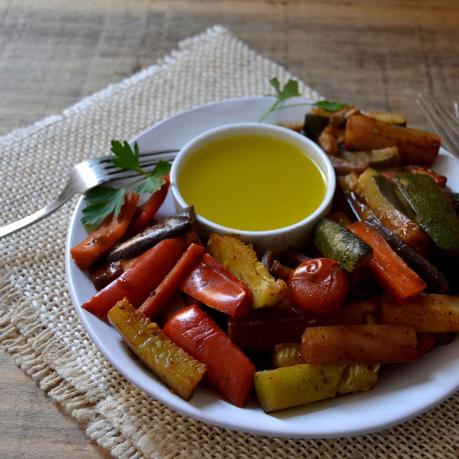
(179, 371)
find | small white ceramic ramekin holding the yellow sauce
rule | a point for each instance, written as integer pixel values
(295, 235)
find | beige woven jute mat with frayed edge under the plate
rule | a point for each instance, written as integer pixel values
(38, 325)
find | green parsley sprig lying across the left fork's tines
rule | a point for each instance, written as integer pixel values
(102, 201)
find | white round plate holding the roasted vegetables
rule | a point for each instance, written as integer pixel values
(403, 391)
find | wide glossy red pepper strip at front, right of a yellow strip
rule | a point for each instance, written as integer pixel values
(228, 369)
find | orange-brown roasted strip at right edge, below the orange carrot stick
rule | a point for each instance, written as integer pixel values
(428, 313)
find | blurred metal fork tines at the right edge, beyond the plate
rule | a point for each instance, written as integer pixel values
(443, 122)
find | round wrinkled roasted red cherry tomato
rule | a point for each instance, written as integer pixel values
(318, 285)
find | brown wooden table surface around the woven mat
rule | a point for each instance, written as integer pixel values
(376, 54)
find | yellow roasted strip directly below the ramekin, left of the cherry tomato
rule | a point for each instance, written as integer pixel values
(241, 260)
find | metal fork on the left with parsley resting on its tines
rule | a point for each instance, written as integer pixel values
(84, 176)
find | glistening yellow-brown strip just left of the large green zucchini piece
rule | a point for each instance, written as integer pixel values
(379, 195)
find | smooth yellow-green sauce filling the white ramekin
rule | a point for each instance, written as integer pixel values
(251, 182)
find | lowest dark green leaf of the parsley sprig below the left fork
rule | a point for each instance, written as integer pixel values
(100, 202)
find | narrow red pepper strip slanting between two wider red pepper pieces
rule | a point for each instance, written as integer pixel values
(169, 286)
